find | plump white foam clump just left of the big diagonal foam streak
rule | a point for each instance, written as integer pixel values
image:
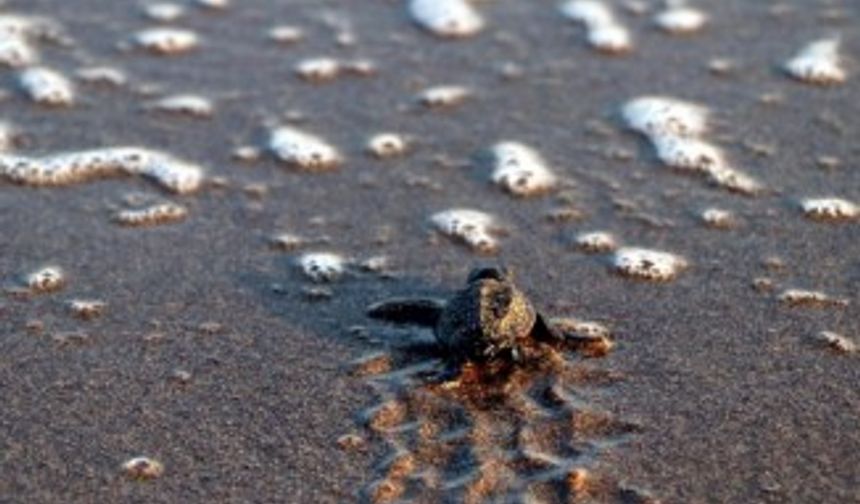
(520, 170)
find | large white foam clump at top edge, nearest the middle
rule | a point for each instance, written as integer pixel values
(446, 18)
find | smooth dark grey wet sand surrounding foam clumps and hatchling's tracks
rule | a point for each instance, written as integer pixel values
(734, 399)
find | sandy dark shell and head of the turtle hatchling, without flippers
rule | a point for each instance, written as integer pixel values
(486, 319)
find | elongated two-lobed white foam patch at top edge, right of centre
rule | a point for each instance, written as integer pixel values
(605, 33)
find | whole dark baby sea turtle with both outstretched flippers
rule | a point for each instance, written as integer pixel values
(488, 320)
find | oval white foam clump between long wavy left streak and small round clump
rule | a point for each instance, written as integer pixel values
(303, 150)
